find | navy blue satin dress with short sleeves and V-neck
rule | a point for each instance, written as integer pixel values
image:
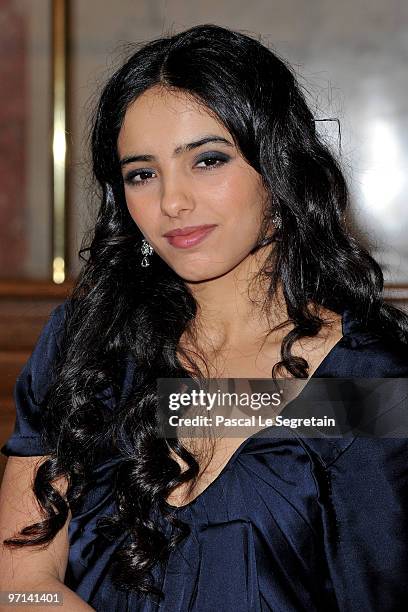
(290, 524)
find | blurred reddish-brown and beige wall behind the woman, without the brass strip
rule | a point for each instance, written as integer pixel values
(350, 57)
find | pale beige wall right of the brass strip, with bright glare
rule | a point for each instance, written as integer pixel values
(351, 56)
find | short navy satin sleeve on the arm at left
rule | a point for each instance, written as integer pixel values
(30, 389)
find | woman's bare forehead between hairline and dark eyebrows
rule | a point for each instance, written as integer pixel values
(164, 117)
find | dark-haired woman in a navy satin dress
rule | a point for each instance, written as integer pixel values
(207, 128)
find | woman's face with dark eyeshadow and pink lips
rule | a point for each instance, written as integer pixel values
(173, 182)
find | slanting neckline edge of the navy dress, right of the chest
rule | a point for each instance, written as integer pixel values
(348, 325)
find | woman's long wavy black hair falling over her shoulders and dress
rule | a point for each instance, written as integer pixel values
(120, 310)
